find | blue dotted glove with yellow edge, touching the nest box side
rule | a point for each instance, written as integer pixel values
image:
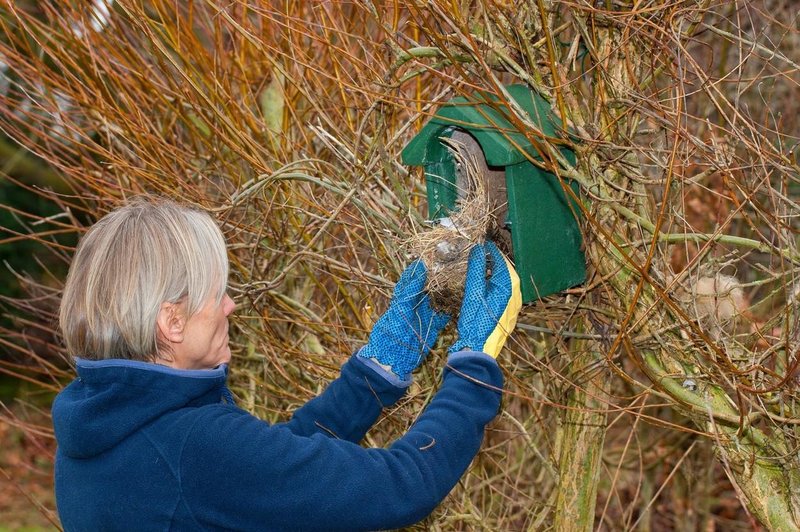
(491, 302)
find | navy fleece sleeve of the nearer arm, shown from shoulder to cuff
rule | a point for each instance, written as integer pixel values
(238, 472)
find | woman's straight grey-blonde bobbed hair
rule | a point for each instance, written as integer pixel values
(148, 252)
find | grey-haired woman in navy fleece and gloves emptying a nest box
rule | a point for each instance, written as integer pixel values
(149, 437)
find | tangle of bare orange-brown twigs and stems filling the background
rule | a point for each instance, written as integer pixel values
(659, 395)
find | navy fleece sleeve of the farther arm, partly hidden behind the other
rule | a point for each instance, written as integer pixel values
(351, 404)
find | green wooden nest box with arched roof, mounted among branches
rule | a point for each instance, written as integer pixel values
(539, 221)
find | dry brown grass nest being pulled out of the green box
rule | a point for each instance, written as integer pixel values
(445, 247)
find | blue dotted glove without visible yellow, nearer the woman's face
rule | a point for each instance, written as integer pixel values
(404, 335)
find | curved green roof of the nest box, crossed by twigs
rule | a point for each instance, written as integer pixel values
(487, 119)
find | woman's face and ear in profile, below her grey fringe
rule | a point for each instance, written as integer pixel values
(205, 337)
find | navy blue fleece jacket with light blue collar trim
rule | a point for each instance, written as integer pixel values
(144, 447)
